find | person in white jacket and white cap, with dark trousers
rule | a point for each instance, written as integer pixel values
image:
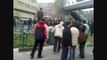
(57, 30)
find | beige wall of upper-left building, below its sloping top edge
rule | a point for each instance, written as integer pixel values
(21, 10)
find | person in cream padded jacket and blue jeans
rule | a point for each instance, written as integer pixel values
(75, 34)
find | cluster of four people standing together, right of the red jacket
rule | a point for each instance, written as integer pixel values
(69, 34)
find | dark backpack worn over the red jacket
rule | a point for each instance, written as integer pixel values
(40, 33)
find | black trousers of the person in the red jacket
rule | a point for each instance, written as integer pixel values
(41, 43)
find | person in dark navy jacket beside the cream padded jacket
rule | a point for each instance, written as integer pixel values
(66, 40)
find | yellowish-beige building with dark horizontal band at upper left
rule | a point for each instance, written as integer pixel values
(24, 9)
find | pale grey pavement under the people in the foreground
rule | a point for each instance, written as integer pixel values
(49, 55)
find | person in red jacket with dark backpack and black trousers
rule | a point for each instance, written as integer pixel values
(41, 34)
